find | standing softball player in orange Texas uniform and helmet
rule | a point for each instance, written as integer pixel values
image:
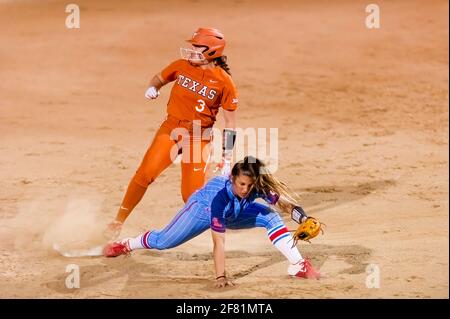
(202, 86)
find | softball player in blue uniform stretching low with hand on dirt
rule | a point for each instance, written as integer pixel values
(229, 203)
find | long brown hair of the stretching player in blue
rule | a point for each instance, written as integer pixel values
(264, 182)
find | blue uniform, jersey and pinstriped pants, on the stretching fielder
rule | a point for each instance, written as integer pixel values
(215, 206)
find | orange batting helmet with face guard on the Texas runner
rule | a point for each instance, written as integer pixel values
(210, 38)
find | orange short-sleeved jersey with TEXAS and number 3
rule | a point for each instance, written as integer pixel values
(197, 93)
